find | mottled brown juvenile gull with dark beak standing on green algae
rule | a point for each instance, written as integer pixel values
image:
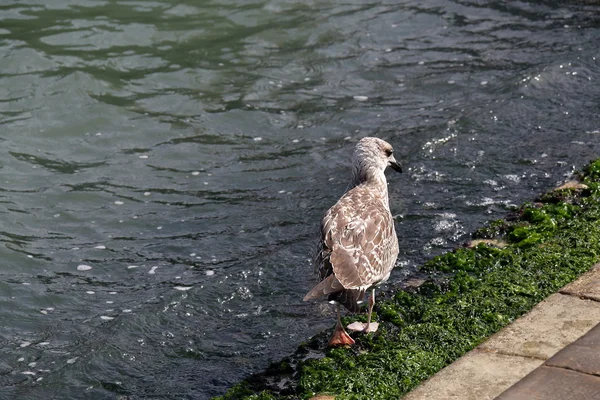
(358, 246)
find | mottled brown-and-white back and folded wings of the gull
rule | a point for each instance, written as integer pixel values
(362, 243)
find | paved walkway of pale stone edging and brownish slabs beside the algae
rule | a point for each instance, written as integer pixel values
(536, 357)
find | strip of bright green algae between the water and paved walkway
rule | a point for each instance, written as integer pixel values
(469, 294)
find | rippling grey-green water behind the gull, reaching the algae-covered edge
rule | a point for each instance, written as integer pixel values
(201, 141)
